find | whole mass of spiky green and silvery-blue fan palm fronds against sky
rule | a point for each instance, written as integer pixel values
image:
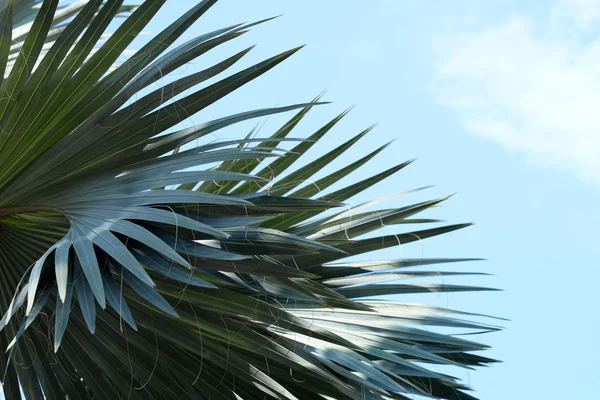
(232, 286)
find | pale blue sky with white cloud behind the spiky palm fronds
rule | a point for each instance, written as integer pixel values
(496, 100)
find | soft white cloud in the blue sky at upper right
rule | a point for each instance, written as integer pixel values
(533, 93)
